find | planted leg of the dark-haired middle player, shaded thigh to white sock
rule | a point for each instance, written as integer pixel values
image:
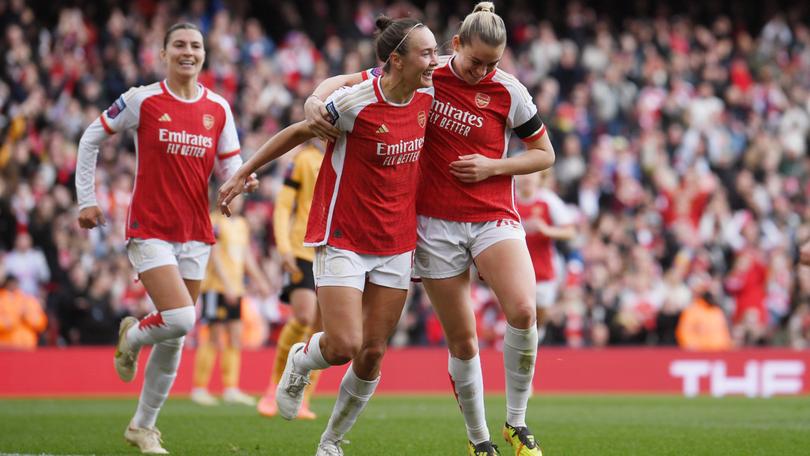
(382, 308)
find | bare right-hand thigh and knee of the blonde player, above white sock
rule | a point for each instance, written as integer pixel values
(507, 268)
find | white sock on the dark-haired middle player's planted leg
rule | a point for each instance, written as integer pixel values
(352, 399)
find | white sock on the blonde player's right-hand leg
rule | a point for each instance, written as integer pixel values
(519, 356)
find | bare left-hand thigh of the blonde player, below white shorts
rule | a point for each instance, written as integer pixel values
(451, 301)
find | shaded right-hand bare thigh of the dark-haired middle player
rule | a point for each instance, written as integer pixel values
(382, 308)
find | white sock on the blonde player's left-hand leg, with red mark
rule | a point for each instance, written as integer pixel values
(468, 386)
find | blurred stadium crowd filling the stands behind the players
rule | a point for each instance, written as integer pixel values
(681, 139)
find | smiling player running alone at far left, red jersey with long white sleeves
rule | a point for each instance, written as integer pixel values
(181, 129)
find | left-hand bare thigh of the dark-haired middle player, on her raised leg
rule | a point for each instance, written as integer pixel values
(342, 314)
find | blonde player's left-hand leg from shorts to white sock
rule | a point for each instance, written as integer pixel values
(451, 302)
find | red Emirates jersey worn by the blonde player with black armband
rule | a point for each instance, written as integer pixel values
(467, 119)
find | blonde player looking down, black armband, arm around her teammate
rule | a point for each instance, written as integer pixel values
(467, 214)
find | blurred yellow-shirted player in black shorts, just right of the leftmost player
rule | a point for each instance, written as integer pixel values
(222, 291)
